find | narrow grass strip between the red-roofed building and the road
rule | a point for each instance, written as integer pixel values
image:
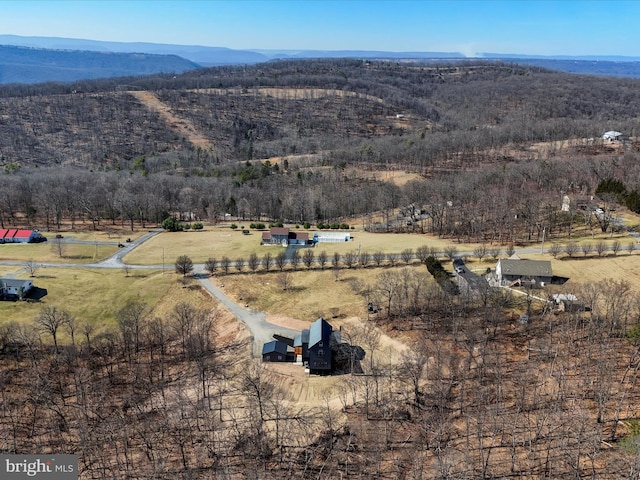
(45, 252)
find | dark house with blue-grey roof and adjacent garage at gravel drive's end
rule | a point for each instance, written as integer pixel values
(319, 349)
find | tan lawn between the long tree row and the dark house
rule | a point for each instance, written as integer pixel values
(312, 294)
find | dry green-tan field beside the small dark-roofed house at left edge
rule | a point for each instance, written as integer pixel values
(92, 295)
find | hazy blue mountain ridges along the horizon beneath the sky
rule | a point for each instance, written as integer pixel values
(42, 59)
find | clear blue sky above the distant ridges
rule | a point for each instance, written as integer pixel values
(539, 27)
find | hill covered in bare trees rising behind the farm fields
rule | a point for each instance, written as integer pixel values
(301, 141)
